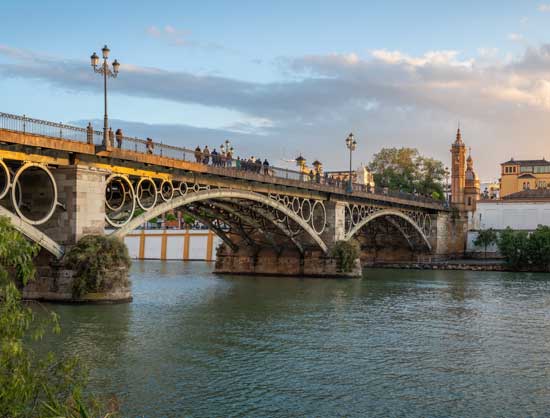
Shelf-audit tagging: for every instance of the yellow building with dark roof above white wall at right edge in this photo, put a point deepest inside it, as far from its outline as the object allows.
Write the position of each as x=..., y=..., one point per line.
x=518, y=175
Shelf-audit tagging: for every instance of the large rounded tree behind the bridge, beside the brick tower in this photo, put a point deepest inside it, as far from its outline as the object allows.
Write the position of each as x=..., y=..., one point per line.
x=406, y=170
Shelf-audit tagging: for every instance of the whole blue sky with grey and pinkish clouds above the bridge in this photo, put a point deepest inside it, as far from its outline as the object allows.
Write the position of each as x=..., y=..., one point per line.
x=283, y=78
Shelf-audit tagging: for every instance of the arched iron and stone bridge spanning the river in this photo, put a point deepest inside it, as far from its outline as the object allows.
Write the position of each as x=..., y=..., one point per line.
x=60, y=182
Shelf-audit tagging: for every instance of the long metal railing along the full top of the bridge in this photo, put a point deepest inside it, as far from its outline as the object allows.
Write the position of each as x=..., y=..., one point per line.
x=227, y=166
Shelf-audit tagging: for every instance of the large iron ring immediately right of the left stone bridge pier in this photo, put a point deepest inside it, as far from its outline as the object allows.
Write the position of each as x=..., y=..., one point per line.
x=118, y=184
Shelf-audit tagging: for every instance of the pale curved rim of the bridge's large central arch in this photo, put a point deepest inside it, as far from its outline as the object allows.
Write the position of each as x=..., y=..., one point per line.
x=226, y=194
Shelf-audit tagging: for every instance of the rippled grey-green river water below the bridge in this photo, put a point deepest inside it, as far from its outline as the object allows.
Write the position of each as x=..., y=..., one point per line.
x=396, y=343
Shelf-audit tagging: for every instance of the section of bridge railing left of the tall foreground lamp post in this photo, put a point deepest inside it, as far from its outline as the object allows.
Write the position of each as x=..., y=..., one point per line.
x=40, y=127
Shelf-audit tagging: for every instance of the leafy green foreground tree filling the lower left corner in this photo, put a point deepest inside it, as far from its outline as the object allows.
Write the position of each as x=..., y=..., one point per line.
x=32, y=385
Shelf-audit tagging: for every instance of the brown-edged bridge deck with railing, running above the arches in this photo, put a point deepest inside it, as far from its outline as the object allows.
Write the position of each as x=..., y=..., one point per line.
x=72, y=141
